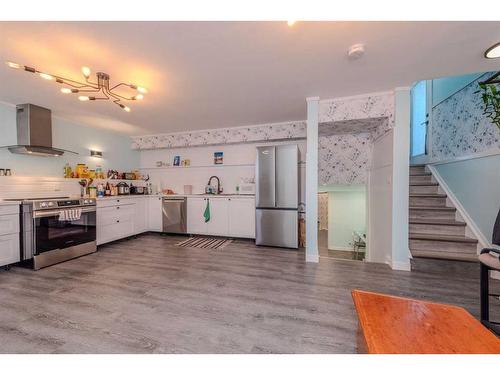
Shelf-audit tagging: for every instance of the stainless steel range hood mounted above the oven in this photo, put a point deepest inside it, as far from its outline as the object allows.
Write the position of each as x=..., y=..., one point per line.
x=34, y=132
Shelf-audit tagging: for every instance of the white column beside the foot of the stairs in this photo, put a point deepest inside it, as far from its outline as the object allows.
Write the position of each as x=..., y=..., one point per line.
x=400, y=178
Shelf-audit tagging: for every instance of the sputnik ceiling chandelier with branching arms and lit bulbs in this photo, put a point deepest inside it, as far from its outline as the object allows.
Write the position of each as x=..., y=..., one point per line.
x=89, y=90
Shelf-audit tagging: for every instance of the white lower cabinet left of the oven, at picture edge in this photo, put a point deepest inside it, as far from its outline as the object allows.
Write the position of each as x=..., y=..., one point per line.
x=9, y=235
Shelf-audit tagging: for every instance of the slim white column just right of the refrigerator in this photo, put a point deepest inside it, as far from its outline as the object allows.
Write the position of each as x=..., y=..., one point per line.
x=312, y=254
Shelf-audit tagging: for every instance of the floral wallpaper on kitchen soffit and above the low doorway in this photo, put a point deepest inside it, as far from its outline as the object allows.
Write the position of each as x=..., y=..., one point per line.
x=348, y=126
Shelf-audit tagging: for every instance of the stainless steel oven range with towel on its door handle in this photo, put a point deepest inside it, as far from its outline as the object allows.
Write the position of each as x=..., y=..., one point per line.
x=57, y=230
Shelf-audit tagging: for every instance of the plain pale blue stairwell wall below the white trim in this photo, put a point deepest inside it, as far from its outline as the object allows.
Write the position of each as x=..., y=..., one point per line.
x=476, y=184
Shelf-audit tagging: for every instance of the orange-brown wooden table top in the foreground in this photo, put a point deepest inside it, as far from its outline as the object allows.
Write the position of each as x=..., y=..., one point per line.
x=406, y=326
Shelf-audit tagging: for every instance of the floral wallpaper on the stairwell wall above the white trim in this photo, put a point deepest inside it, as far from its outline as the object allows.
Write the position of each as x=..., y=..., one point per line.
x=459, y=127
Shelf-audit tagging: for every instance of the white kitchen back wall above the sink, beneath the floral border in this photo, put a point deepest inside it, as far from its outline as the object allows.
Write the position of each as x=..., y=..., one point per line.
x=239, y=161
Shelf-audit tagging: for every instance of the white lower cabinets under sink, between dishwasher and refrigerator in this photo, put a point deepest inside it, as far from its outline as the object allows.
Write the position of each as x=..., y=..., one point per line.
x=233, y=217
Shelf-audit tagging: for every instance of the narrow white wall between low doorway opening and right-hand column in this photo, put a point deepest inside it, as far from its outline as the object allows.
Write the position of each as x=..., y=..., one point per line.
x=379, y=236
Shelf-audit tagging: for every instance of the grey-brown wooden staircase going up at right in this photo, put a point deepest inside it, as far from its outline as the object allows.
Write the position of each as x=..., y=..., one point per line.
x=434, y=232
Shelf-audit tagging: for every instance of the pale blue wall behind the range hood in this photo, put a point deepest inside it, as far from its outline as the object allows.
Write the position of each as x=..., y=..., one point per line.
x=70, y=136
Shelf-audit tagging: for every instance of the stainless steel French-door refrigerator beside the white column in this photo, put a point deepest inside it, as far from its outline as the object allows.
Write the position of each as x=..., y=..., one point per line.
x=277, y=196
